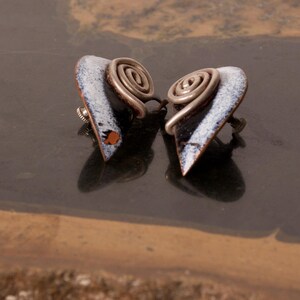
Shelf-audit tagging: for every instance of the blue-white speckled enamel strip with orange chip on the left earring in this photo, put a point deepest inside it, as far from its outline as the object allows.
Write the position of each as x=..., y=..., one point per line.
x=90, y=76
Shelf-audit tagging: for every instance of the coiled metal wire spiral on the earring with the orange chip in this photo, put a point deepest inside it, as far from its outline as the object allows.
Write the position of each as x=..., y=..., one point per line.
x=132, y=82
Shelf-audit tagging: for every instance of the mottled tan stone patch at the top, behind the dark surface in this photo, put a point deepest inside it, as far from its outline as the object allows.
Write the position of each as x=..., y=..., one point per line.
x=158, y=20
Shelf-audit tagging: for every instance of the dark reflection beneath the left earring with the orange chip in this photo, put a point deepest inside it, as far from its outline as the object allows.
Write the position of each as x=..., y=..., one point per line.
x=129, y=163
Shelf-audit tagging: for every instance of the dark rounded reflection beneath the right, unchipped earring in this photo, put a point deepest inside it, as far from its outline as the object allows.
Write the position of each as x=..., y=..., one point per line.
x=215, y=176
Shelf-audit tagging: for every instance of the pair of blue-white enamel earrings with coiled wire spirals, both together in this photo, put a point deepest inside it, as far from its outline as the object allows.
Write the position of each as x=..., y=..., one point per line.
x=114, y=92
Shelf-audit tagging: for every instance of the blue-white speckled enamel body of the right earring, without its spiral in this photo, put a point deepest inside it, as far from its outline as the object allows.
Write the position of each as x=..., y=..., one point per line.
x=191, y=144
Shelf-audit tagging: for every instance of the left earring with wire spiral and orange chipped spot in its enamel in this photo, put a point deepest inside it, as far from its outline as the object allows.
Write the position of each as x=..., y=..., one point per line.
x=113, y=93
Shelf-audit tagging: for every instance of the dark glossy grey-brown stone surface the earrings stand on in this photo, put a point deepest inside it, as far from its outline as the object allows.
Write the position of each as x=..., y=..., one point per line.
x=44, y=164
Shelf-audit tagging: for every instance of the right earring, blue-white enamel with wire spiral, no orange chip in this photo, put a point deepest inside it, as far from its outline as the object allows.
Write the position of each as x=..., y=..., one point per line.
x=204, y=101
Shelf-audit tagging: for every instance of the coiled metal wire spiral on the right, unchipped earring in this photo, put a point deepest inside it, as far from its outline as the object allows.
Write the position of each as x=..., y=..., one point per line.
x=192, y=91
